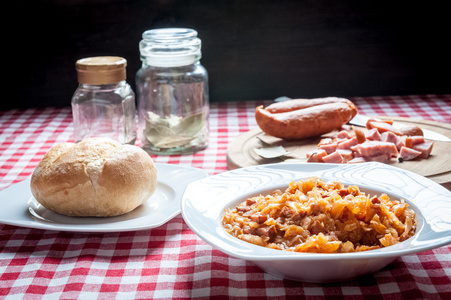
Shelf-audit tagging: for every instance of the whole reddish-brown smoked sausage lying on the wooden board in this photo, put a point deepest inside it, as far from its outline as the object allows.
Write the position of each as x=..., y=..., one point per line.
x=304, y=118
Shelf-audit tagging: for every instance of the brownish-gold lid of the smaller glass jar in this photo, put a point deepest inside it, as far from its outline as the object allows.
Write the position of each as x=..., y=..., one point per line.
x=101, y=69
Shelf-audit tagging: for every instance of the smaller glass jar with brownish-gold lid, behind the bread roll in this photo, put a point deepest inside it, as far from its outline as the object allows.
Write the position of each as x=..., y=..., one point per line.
x=104, y=103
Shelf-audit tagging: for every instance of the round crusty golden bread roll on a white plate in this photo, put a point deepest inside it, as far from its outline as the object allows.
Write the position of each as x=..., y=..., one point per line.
x=97, y=177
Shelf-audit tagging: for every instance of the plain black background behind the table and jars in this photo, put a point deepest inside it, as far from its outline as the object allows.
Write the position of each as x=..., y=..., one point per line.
x=253, y=50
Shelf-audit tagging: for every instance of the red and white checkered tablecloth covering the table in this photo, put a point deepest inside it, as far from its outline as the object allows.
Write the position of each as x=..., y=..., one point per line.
x=171, y=262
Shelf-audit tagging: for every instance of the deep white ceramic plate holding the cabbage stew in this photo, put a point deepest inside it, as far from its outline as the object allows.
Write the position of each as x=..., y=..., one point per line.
x=204, y=201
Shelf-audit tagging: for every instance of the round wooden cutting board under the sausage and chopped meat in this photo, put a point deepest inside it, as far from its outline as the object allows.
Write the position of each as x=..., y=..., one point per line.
x=241, y=152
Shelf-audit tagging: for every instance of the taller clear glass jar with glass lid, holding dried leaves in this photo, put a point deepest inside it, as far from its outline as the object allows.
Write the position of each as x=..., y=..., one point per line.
x=172, y=89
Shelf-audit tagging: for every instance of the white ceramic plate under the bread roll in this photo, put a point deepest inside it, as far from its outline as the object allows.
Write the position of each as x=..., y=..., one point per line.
x=18, y=206
